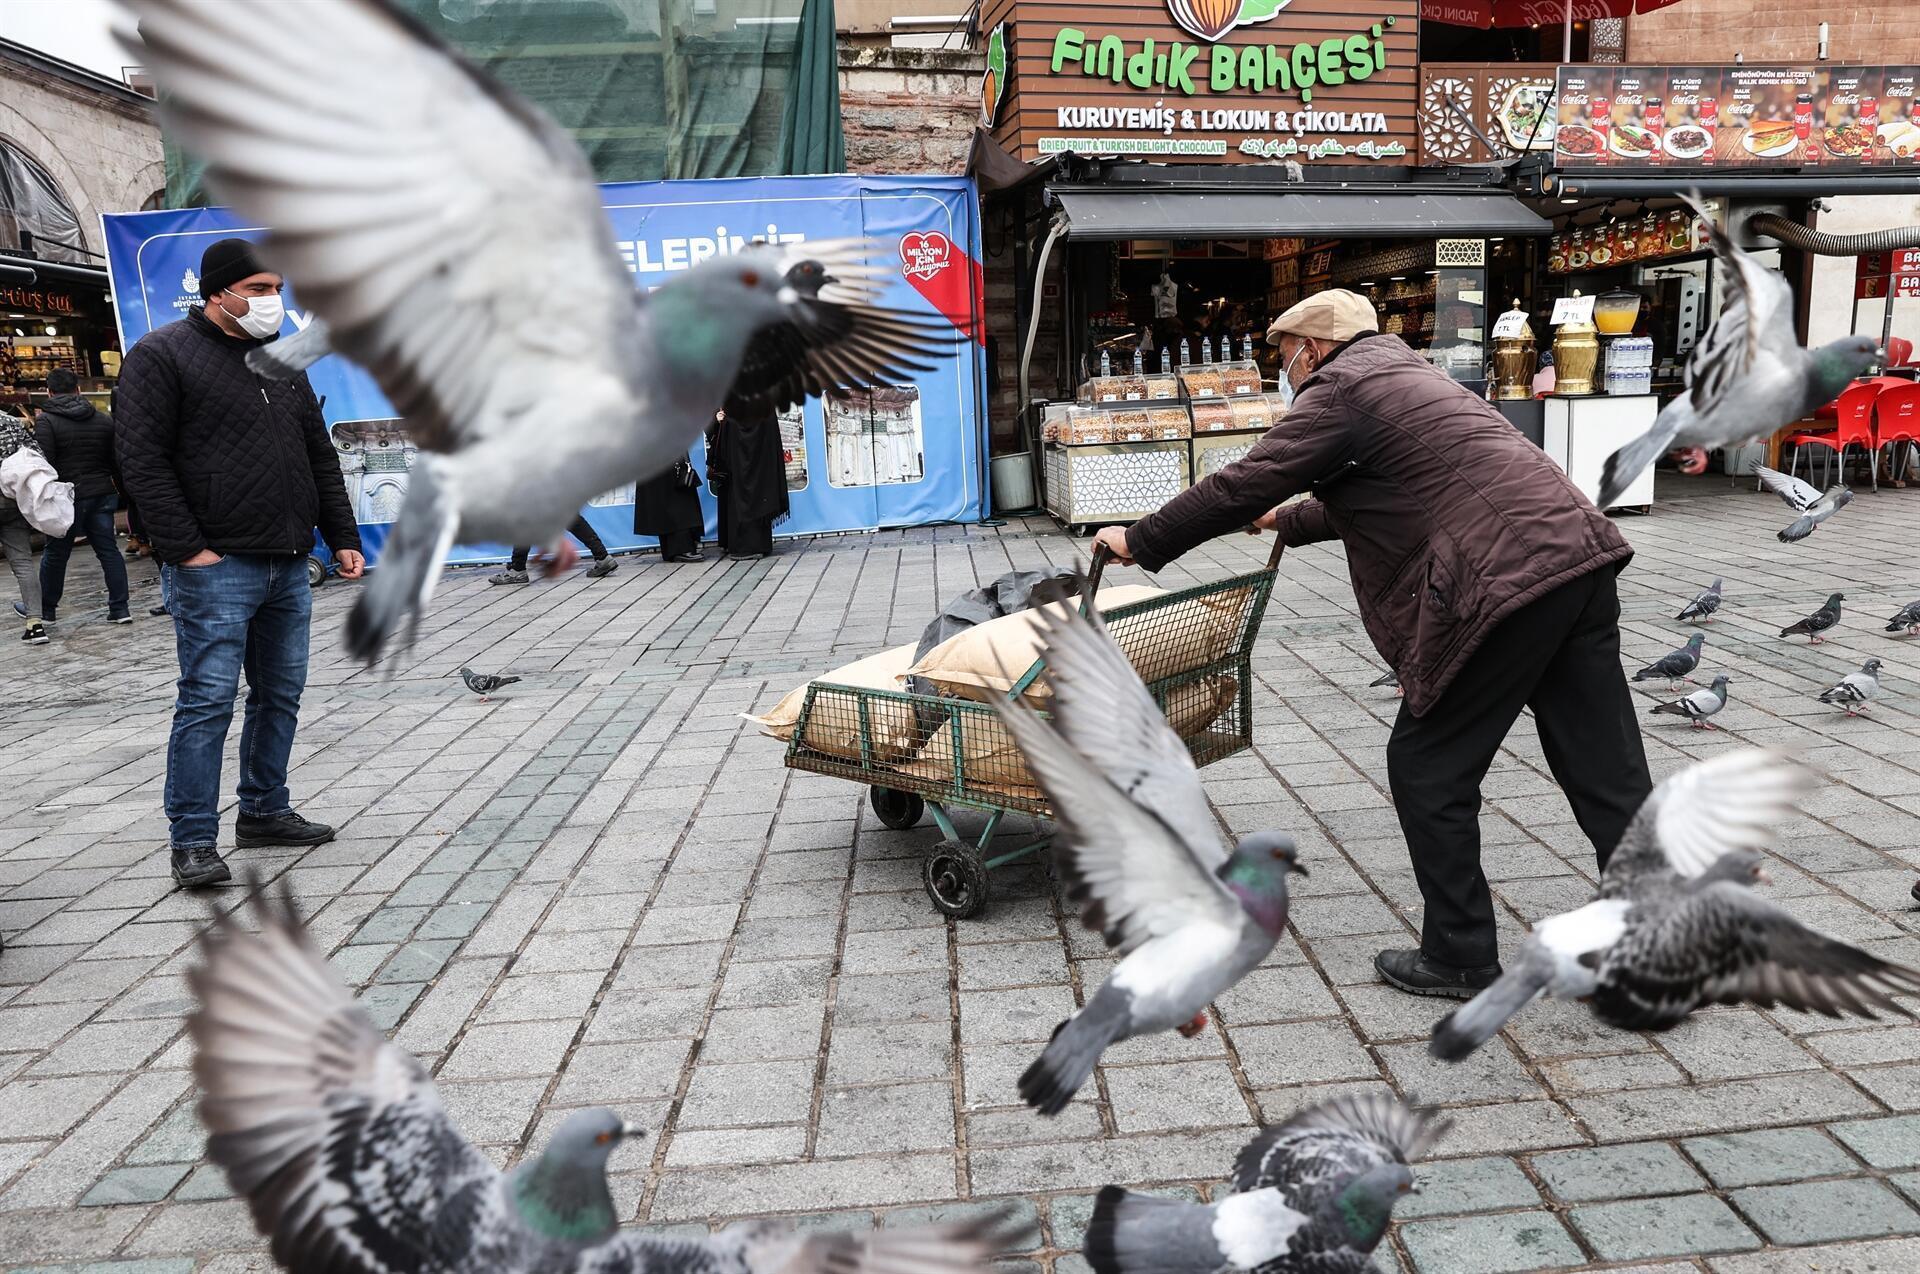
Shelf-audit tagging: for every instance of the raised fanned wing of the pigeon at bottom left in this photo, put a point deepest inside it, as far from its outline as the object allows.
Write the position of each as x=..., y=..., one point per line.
x=333, y=1137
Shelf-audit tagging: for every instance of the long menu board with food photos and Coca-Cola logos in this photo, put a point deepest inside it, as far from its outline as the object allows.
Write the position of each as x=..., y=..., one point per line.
x=1744, y=116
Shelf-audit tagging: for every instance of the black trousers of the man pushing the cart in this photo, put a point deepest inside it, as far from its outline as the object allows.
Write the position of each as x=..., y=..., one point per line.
x=1560, y=657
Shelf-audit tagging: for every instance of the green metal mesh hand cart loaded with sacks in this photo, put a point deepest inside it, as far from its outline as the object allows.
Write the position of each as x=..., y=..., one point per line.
x=921, y=753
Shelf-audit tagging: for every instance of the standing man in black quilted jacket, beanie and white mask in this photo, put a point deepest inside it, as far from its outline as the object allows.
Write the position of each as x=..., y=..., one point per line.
x=231, y=473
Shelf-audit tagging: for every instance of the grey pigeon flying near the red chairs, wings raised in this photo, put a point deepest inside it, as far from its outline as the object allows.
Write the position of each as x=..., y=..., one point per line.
x=1746, y=379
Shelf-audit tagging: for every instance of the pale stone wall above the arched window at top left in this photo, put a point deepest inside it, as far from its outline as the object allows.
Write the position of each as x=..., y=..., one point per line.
x=101, y=145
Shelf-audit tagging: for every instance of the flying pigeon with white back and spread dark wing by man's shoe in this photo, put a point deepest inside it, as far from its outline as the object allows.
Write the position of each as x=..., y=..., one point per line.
x=1677, y=924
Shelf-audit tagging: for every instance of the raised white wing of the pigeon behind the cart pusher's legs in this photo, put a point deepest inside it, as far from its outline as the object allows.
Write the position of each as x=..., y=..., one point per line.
x=1691, y=820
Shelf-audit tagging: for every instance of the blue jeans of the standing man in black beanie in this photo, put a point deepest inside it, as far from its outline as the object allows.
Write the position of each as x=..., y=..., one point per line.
x=245, y=611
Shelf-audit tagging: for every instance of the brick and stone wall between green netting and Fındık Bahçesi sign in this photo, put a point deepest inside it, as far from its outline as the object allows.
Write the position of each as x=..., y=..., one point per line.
x=909, y=110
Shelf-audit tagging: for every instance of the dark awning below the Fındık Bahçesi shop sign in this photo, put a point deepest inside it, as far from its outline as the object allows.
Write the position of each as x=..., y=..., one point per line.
x=1120, y=214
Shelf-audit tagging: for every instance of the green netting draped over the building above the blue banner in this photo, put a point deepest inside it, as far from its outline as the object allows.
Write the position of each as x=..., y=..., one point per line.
x=652, y=89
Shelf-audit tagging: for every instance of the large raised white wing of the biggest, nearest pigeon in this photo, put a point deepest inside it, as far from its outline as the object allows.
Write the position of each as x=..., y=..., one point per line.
x=404, y=193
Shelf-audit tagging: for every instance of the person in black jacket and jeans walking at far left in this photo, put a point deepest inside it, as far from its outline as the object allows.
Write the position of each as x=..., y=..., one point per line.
x=78, y=440
